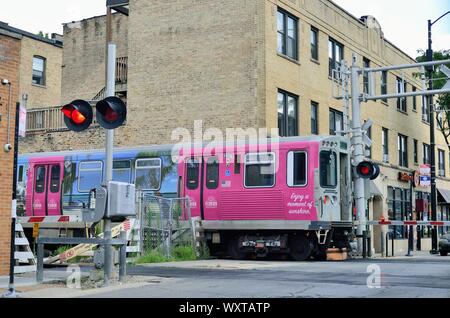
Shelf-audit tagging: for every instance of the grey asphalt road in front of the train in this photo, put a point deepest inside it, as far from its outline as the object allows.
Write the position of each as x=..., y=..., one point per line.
x=421, y=276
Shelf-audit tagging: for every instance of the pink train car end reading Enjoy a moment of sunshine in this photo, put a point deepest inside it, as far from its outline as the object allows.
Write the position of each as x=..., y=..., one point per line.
x=292, y=196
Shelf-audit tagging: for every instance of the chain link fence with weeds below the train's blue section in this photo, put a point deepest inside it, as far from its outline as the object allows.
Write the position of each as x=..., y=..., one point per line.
x=165, y=224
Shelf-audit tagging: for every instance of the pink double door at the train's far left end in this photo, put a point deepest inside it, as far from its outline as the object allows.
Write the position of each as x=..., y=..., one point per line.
x=46, y=189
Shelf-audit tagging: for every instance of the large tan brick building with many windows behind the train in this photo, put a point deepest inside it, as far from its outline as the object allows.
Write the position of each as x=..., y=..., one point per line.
x=253, y=63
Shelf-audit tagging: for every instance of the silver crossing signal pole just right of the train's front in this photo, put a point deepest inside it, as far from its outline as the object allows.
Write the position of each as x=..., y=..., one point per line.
x=358, y=151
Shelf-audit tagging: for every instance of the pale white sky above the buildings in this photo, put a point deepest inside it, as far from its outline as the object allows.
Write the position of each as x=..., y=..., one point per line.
x=404, y=22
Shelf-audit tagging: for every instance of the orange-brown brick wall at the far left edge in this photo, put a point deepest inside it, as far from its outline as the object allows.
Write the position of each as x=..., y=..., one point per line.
x=9, y=69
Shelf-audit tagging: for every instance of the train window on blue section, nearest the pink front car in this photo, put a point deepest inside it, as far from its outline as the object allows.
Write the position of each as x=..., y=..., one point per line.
x=148, y=174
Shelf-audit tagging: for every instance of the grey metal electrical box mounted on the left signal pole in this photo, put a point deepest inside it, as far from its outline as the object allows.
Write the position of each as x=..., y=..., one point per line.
x=121, y=200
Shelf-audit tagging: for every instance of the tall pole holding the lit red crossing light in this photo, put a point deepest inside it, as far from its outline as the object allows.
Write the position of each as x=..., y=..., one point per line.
x=110, y=91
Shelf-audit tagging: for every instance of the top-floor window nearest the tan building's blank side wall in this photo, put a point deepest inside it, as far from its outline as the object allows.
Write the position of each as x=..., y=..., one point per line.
x=287, y=34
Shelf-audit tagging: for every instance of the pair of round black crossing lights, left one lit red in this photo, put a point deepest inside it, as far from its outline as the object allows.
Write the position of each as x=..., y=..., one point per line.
x=111, y=113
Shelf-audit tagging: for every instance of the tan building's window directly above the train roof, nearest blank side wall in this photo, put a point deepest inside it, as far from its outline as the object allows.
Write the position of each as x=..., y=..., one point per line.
x=287, y=114
